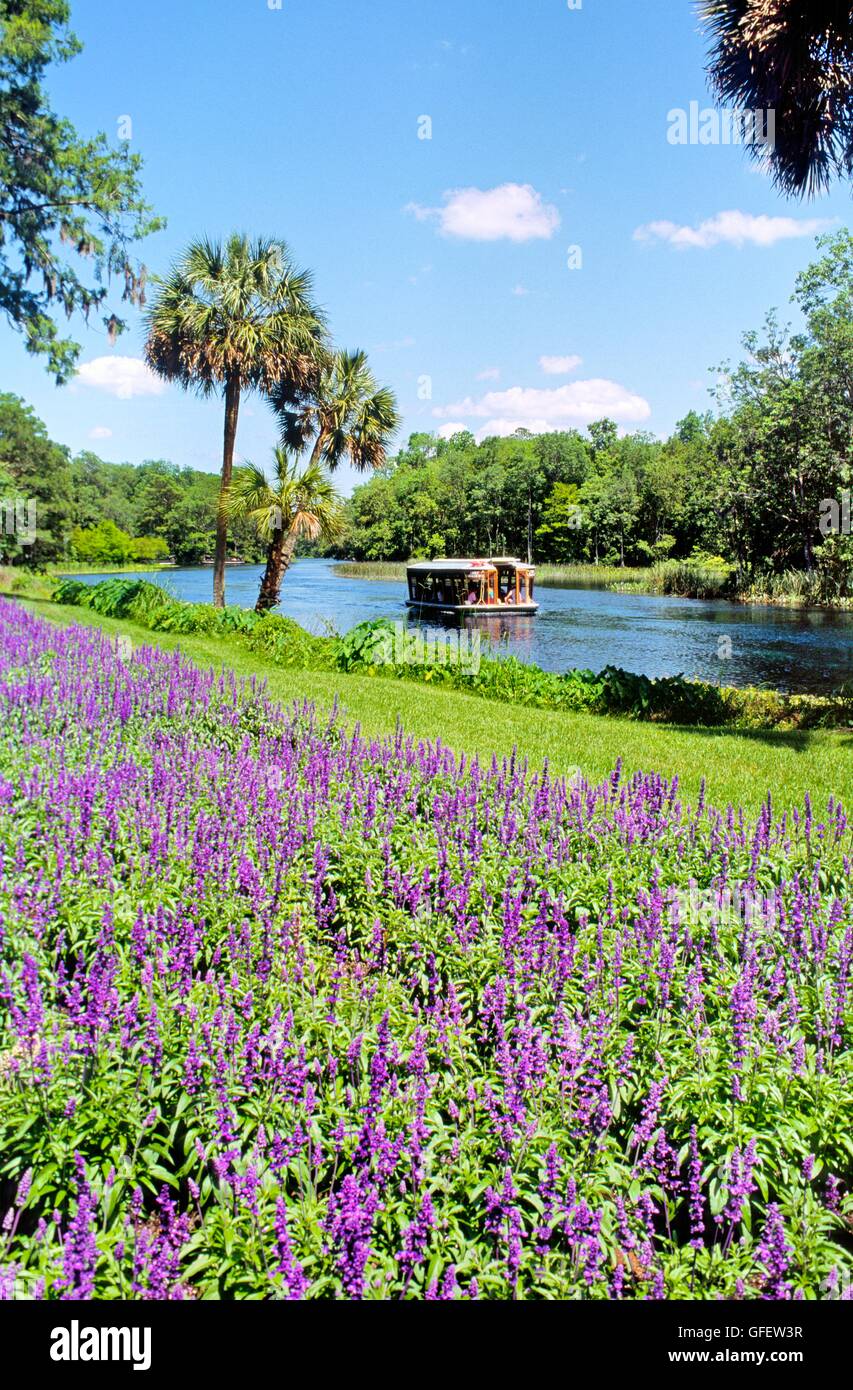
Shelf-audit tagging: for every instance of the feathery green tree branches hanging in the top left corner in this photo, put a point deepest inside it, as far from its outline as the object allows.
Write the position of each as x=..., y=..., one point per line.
x=70, y=208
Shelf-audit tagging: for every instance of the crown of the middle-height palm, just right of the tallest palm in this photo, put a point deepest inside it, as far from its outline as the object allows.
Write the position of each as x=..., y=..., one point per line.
x=345, y=416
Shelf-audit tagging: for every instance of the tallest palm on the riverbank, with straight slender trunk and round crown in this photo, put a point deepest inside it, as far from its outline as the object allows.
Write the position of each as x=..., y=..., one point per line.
x=234, y=319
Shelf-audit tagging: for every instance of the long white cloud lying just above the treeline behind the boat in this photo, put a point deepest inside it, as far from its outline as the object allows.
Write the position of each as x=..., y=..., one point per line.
x=561, y=408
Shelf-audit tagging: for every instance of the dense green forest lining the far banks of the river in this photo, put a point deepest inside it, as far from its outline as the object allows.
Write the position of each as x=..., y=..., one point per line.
x=759, y=484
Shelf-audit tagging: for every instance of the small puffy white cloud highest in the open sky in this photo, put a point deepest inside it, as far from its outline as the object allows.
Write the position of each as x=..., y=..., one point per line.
x=512, y=212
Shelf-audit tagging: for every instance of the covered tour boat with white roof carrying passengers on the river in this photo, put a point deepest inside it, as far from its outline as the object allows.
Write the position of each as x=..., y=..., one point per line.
x=498, y=586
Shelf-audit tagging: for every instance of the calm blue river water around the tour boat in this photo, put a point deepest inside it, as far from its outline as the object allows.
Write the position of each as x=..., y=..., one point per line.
x=780, y=648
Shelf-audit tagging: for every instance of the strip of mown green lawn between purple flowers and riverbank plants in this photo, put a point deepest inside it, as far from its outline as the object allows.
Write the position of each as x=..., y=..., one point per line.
x=738, y=767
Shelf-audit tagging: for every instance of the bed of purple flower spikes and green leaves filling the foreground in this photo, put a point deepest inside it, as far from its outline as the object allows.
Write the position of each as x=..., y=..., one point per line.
x=292, y=1014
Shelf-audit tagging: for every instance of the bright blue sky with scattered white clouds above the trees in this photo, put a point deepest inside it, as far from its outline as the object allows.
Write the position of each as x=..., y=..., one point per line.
x=447, y=258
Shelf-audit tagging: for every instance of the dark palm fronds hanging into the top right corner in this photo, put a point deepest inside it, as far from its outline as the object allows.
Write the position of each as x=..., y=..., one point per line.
x=794, y=59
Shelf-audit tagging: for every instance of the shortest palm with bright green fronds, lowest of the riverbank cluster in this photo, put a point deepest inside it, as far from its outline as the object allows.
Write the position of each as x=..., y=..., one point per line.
x=294, y=505
